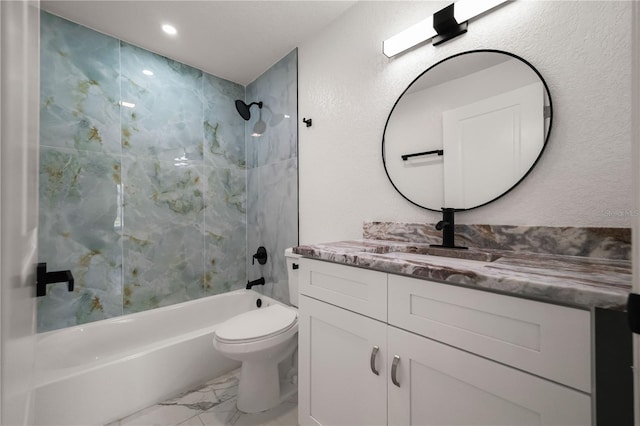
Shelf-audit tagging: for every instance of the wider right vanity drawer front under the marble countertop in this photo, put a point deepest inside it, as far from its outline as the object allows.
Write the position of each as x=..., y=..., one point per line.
x=547, y=340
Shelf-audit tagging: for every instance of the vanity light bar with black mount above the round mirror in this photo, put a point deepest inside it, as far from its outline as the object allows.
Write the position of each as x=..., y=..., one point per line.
x=444, y=25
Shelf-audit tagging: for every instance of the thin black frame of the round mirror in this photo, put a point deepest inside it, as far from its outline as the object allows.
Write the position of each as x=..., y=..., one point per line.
x=546, y=140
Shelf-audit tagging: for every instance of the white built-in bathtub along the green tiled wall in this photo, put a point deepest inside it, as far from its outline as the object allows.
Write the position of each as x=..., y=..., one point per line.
x=97, y=373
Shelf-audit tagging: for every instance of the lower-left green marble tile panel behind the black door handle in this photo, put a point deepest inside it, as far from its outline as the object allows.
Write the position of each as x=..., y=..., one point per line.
x=80, y=229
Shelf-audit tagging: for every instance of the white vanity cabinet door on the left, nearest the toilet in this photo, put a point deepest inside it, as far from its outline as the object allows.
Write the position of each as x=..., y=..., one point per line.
x=337, y=384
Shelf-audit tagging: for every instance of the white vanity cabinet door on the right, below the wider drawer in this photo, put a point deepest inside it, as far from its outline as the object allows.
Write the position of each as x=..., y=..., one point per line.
x=442, y=385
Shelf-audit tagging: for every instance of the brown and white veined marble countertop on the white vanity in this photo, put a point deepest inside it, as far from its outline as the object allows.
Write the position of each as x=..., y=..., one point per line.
x=572, y=280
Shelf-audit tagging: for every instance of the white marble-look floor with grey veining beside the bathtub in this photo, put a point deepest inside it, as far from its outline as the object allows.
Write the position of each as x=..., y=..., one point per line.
x=213, y=404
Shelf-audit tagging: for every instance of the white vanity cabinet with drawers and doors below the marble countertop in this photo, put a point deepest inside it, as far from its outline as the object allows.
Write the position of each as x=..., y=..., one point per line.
x=458, y=353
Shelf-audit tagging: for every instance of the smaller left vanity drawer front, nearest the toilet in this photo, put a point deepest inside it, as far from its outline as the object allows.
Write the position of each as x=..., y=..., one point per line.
x=358, y=290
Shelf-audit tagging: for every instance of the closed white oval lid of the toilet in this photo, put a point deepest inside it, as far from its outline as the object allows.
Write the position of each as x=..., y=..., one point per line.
x=257, y=324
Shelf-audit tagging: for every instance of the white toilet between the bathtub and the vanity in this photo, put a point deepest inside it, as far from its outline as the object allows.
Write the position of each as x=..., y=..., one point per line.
x=262, y=339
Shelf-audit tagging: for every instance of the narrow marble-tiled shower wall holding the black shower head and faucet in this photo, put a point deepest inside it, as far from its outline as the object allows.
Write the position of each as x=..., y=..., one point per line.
x=272, y=174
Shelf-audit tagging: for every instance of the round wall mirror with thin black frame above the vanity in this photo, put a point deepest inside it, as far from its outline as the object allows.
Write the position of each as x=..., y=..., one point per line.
x=467, y=130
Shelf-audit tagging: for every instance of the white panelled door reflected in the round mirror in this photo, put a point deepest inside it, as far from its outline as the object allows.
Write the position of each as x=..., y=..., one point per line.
x=490, y=144
